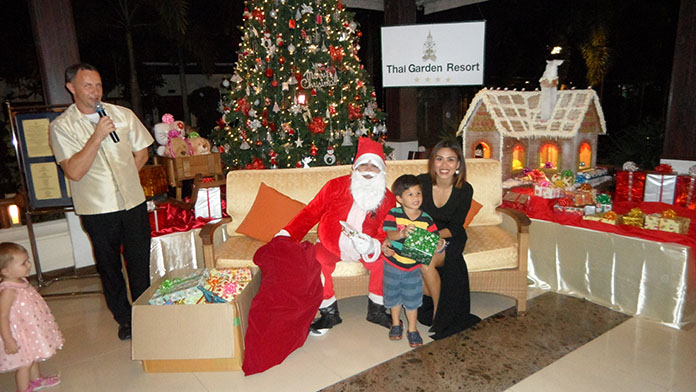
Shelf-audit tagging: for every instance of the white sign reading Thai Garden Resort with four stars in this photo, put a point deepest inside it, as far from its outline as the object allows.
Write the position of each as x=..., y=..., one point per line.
x=446, y=54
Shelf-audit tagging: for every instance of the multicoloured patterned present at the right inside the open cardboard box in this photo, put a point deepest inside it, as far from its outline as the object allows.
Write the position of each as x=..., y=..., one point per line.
x=224, y=285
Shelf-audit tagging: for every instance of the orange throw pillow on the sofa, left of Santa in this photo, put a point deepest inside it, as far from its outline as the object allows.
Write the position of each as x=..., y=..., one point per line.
x=270, y=212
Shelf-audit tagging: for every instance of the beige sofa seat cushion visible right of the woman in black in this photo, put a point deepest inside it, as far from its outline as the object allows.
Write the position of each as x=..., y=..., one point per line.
x=490, y=248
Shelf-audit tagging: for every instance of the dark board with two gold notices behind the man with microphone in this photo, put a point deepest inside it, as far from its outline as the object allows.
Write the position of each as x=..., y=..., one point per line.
x=44, y=181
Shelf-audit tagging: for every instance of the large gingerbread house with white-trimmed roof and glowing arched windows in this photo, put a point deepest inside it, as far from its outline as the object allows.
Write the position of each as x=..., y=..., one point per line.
x=548, y=130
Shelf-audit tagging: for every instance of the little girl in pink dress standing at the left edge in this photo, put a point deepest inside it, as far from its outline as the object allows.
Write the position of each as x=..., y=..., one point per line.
x=28, y=331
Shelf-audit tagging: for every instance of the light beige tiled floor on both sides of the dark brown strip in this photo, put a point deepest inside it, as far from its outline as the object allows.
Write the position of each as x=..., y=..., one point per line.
x=636, y=356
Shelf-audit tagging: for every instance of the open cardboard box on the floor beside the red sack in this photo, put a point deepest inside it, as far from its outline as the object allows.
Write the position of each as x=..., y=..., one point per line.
x=191, y=338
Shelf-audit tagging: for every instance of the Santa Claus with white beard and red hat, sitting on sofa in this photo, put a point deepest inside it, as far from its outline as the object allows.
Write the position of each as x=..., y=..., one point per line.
x=362, y=200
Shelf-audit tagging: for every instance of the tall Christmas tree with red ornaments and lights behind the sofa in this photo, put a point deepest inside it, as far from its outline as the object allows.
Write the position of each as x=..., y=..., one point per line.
x=299, y=95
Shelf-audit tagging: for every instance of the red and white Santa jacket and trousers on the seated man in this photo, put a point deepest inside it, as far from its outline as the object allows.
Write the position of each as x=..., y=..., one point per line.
x=334, y=203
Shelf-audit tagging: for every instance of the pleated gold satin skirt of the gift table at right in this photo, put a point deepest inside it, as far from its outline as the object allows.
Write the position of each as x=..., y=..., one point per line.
x=635, y=276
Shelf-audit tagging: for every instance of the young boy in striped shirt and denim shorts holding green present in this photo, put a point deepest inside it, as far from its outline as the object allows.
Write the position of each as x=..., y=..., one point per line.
x=402, y=282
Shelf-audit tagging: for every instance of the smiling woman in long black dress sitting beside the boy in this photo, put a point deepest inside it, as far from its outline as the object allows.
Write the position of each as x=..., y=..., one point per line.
x=447, y=198
